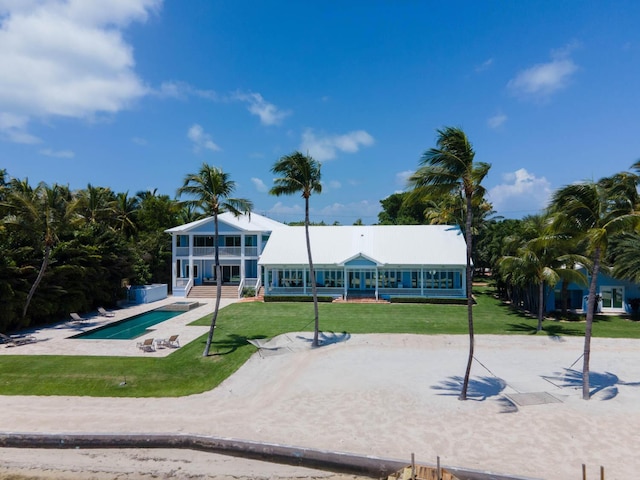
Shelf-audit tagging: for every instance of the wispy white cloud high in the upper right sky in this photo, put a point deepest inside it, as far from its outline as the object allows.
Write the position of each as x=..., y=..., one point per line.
x=544, y=79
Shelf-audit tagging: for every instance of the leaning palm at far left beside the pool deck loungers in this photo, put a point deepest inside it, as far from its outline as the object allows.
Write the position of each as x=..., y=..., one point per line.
x=42, y=212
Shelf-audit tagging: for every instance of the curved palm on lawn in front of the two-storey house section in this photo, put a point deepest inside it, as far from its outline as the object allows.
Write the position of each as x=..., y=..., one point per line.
x=212, y=189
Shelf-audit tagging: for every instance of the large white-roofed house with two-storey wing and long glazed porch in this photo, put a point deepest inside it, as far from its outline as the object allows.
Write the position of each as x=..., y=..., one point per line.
x=351, y=261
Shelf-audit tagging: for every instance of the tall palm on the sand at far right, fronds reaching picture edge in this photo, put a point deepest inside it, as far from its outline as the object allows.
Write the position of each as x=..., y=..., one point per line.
x=595, y=212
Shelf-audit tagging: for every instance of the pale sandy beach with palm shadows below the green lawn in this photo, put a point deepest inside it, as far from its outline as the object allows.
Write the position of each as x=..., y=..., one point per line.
x=381, y=395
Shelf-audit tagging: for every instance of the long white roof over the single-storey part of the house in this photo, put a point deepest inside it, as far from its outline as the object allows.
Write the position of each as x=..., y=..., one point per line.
x=385, y=245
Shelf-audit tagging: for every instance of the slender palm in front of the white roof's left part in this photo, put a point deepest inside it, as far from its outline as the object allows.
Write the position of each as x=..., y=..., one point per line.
x=301, y=174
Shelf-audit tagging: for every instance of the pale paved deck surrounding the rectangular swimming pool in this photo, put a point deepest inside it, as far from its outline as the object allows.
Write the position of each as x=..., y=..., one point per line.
x=55, y=339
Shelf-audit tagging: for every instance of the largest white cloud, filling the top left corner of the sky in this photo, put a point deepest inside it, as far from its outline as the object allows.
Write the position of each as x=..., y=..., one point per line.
x=68, y=57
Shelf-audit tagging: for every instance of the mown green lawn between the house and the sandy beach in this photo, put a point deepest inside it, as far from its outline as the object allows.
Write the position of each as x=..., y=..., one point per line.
x=186, y=372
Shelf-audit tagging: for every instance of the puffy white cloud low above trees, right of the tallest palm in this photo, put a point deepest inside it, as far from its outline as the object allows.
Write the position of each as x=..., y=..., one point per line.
x=521, y=193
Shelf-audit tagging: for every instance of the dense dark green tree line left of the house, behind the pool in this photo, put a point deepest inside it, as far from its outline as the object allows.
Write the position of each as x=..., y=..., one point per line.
x=66, y=251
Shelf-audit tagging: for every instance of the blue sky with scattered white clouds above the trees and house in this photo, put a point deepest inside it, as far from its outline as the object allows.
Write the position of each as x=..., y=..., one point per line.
x=135, y=94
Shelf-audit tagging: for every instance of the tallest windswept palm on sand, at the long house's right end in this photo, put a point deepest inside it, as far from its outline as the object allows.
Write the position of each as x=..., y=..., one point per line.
x=450, y=168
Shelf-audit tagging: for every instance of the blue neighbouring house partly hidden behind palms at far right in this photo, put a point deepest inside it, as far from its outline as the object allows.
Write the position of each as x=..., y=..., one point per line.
x=614, y=295
